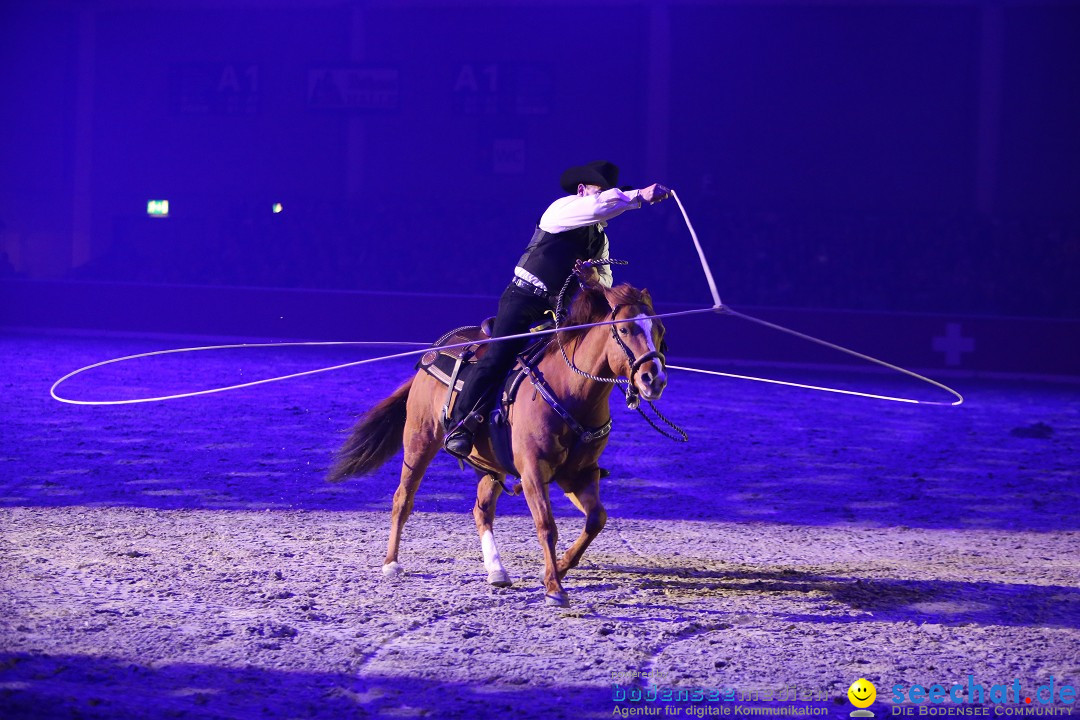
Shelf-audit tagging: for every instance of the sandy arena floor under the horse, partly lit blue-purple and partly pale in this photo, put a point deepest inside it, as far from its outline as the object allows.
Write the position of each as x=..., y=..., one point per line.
x=185, y=560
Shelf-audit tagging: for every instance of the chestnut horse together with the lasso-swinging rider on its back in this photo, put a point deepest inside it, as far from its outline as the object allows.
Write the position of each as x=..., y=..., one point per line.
x=555, y=437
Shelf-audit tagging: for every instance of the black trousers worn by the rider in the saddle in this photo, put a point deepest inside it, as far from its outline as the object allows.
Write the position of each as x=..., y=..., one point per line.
x=519, y=311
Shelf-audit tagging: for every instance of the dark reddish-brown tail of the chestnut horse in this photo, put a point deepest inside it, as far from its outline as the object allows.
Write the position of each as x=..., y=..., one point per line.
x=375, y=439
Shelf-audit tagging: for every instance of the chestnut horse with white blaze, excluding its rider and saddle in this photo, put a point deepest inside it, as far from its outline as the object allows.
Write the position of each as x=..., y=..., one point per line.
x=546, y=447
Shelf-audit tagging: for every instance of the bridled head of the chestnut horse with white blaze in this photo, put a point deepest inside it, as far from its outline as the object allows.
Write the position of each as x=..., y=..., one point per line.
x=634, y=348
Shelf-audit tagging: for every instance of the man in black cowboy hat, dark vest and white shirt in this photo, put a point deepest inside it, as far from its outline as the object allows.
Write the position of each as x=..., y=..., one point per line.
x=570, y=234
